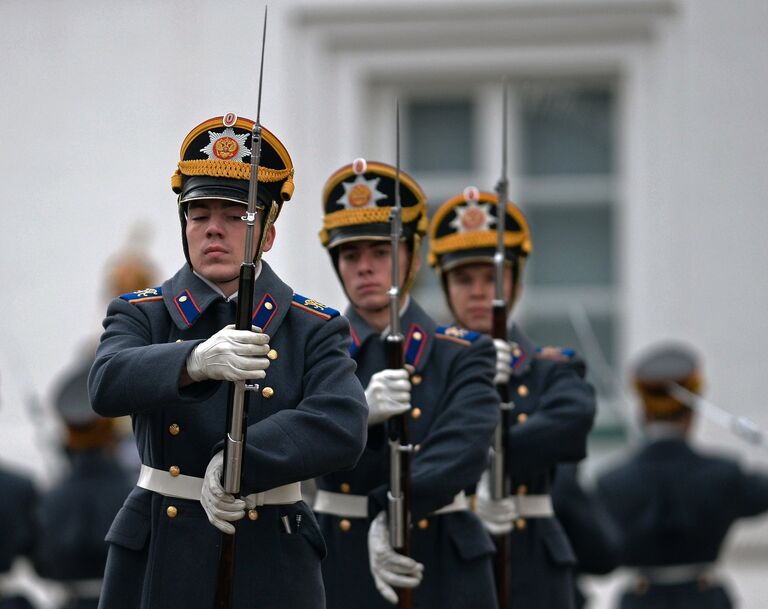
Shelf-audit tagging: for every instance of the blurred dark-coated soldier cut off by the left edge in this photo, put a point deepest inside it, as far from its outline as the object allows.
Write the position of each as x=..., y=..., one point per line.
x=18, y=500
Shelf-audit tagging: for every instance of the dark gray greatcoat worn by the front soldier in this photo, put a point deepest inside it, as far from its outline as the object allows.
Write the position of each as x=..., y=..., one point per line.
x=312, y=422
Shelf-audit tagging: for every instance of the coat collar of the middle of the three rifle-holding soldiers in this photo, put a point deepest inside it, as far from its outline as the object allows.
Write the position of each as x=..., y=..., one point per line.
x=417, y=327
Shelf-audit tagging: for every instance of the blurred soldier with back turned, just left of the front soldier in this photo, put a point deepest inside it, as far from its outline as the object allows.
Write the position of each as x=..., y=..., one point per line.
x=75, y=514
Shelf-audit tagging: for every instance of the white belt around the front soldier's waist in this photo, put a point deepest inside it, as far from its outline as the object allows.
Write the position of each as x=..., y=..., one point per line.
x=190, y=487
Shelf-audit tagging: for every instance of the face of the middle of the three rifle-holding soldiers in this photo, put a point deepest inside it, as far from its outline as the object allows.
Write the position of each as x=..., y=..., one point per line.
x=365, y=268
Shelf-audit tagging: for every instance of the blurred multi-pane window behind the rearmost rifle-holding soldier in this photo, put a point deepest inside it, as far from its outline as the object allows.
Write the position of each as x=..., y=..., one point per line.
x=563, y=175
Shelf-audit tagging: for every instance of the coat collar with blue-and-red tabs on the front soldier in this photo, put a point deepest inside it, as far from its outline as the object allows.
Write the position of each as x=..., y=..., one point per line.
x=187, y=297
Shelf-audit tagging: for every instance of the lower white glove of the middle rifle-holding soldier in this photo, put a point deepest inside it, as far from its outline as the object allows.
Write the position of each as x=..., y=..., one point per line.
x=387, y=566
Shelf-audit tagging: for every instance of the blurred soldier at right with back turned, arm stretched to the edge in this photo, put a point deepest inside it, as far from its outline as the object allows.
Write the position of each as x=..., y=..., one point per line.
x=673, y=504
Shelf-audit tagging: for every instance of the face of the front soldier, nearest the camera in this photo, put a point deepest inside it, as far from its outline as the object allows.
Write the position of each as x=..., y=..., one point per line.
x=216, y=240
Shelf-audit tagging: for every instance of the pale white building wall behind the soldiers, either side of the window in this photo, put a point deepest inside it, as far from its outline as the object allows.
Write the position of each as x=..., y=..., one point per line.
x=97, y=96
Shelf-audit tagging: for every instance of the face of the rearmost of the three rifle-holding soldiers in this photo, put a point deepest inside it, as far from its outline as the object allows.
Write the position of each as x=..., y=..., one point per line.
x=471, y=288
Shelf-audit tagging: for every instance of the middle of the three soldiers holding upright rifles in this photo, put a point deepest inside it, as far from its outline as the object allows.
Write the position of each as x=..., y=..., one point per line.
x=451, y=408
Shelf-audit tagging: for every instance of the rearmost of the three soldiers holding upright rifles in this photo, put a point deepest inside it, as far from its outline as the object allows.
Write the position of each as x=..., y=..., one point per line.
x=552, y=406
